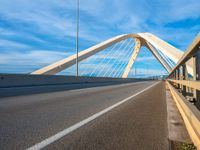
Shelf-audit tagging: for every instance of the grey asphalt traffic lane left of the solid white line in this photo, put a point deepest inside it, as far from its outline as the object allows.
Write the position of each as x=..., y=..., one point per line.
x=27, y=120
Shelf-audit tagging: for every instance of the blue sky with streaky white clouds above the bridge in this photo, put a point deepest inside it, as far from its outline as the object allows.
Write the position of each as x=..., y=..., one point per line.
x=35, y=33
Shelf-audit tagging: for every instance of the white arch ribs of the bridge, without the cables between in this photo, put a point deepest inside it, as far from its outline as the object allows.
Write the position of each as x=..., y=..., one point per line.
x=145, y=39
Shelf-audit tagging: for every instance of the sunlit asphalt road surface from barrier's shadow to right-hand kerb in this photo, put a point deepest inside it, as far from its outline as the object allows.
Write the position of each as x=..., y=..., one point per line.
x=139, y=121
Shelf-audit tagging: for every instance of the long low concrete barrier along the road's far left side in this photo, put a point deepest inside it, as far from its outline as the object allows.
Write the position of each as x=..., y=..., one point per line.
x=24, y=80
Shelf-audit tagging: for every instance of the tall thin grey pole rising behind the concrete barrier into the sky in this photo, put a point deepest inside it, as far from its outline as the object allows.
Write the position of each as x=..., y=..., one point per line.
x=77, y=37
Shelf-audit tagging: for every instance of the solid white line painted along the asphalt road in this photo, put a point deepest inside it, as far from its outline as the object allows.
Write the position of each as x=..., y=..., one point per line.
x=66, y=131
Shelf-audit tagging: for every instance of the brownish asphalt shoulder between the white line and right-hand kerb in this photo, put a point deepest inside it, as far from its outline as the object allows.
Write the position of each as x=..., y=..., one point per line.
x=139, y=124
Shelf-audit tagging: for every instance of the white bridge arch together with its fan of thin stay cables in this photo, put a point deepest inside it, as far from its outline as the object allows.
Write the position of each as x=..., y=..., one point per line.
x=121, y=48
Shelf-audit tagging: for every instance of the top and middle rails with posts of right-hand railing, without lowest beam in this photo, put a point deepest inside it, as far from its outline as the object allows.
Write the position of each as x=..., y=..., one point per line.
x=187, y=84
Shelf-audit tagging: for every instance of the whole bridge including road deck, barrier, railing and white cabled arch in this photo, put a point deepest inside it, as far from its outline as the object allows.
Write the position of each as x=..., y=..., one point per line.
x=103, y=108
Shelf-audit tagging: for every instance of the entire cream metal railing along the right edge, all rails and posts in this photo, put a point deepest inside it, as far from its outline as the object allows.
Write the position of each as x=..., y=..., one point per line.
x=185, y=89
